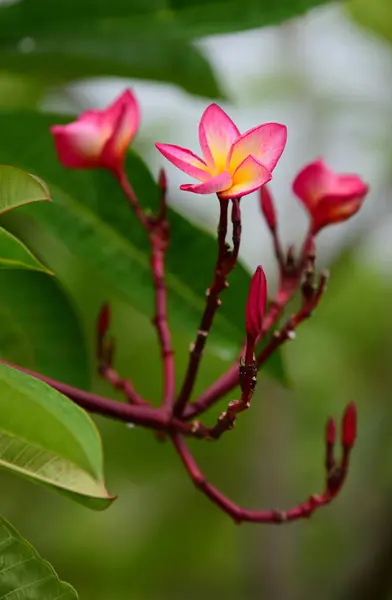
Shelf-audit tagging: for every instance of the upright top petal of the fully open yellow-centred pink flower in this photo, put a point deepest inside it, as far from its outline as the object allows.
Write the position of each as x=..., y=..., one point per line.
x=217, y=133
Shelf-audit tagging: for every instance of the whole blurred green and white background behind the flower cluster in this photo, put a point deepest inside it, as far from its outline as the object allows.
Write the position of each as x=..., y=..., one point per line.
x=327, y=74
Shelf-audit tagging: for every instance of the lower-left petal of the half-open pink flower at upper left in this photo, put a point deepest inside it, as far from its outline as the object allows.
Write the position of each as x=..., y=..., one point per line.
x=78, y=144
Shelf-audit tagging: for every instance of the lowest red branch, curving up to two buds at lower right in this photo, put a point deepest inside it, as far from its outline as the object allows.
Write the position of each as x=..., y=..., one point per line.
x=335, y=477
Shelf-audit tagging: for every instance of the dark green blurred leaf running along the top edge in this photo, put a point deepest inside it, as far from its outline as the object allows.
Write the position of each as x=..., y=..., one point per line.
x=187, y=18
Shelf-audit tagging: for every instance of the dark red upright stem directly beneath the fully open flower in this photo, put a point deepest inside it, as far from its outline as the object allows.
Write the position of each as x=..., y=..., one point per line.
x=225, y=263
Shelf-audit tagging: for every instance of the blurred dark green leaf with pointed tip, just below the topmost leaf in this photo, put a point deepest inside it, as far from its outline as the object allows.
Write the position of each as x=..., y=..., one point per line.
x=132, y=52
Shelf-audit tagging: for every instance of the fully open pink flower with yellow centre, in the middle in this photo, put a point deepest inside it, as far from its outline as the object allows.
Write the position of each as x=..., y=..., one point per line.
x=233, y=165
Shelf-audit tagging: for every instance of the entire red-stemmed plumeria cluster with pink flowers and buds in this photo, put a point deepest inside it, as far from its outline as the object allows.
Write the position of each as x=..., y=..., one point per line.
x=232, y=166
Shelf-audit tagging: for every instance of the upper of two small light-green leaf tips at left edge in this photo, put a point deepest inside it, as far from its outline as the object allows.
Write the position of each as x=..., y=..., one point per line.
x=18, y=188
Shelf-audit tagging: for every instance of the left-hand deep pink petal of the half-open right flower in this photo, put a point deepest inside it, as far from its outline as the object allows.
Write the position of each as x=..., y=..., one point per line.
x=313, y=182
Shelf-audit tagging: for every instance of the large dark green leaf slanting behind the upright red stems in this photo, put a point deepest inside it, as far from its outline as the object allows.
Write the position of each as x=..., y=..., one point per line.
x=92, y=218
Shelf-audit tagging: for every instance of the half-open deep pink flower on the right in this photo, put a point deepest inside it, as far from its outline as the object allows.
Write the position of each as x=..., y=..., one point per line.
x=328, y=197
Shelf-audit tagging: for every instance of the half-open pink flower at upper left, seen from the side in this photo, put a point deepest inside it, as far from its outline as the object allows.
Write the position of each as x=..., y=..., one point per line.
x=99, y=138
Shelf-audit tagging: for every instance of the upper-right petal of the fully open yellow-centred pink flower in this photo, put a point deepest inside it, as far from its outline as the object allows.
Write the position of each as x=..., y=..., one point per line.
x=265, y=142
